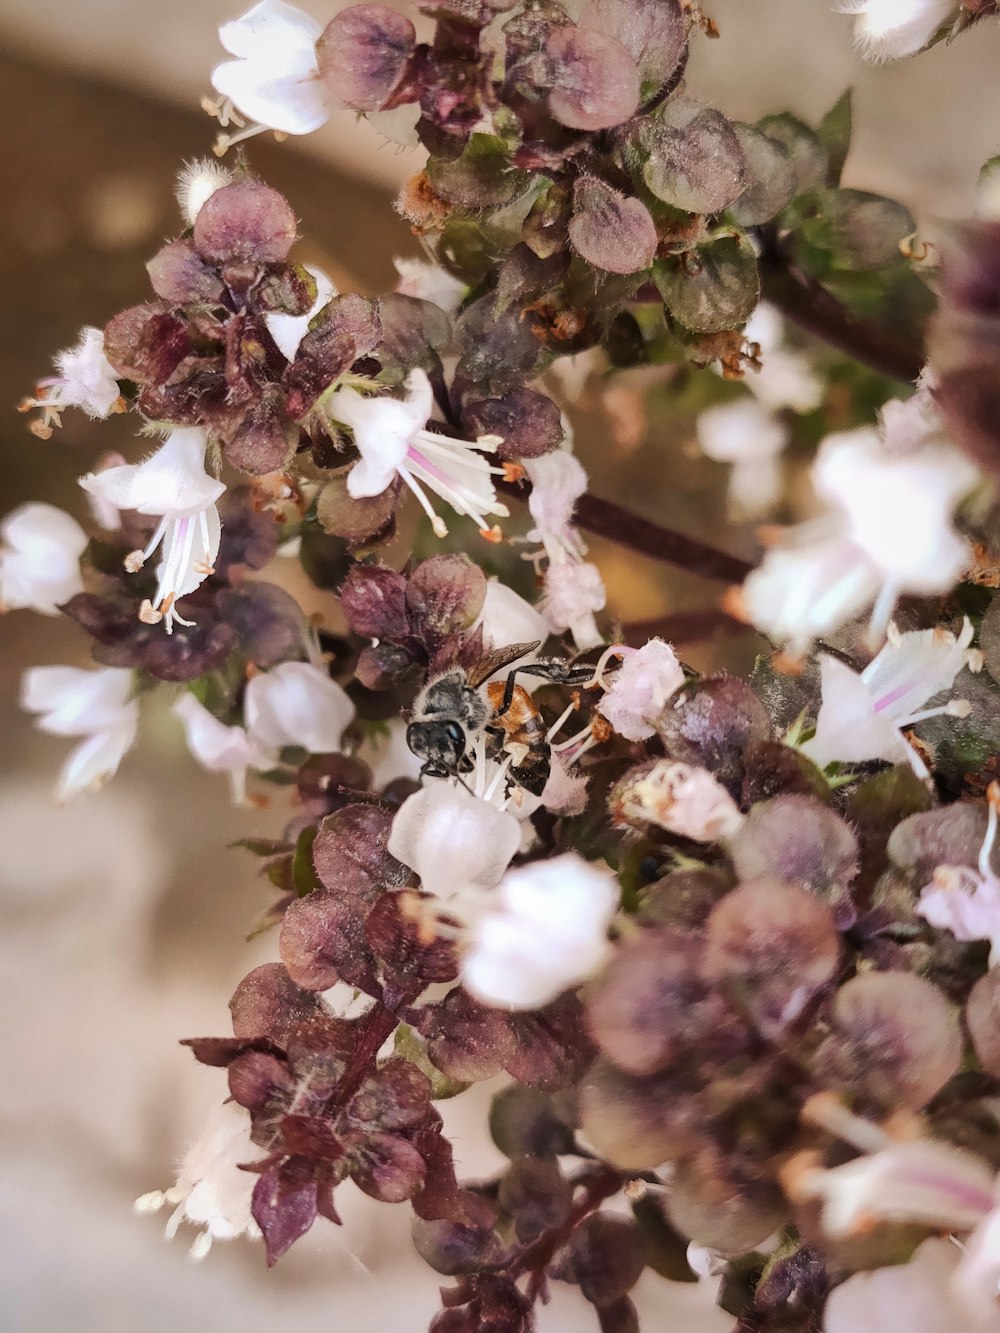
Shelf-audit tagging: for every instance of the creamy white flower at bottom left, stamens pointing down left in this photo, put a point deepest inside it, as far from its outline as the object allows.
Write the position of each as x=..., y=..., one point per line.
x=211, y=1192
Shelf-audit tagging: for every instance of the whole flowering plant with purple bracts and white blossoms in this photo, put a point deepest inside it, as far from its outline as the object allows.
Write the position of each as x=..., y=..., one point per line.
x=730, y=944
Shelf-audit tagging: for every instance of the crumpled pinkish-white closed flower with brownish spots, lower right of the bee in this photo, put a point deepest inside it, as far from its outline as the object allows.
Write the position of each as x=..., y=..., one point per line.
x=679, y=798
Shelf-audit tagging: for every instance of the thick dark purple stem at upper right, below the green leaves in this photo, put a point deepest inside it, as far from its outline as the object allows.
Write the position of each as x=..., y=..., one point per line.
x=810, y=306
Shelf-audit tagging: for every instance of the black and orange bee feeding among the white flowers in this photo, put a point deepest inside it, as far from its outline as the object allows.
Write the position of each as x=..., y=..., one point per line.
x=463, y=704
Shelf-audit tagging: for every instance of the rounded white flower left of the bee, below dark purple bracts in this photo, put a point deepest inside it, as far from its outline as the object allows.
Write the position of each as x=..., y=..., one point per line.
x=297, y=704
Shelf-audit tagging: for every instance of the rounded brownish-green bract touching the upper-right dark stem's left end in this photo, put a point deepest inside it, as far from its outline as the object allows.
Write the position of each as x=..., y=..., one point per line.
x=714, y=290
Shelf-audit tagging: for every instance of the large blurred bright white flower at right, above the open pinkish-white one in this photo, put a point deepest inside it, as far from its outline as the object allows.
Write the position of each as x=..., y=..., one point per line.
x=889, y=531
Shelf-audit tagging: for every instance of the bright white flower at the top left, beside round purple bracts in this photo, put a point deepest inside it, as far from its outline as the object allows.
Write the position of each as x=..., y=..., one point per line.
x=275, y=79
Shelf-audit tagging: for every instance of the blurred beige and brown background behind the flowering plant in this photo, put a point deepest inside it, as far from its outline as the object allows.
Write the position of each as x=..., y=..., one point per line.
x=122, y=916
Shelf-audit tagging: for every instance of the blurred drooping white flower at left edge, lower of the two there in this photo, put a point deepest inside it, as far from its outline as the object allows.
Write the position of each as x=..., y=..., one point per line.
x=94, y=704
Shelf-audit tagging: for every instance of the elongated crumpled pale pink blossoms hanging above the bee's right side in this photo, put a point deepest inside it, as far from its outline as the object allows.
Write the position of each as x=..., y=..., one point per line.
x=574, y=590
